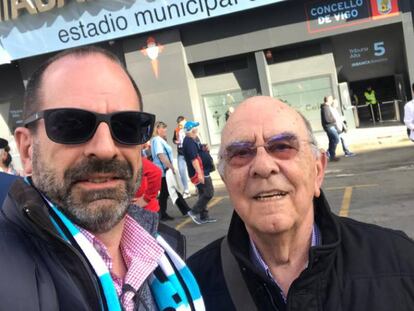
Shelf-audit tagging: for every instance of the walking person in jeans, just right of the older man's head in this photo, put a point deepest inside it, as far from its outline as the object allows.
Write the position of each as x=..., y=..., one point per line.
x=329, y=125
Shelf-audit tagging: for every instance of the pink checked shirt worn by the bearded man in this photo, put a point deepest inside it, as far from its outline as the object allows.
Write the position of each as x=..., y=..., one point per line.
x=140, y=252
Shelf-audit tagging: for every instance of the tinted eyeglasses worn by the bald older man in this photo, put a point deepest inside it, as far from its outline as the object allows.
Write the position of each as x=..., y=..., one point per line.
x=282, y=146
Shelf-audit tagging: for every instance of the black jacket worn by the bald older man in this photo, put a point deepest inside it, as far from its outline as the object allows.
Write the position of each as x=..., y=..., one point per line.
x=358, y=267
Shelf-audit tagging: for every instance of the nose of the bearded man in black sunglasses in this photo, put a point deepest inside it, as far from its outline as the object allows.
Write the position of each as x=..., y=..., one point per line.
x=101, y=145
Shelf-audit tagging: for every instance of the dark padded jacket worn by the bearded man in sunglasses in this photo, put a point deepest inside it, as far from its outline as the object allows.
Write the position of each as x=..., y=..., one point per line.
x=39, y=270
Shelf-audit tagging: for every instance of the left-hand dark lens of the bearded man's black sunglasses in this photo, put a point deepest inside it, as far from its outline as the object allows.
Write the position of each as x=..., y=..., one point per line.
x=69, y=126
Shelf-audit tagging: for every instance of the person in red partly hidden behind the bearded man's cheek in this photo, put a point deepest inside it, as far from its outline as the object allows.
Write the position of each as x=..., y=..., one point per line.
x=146, y=195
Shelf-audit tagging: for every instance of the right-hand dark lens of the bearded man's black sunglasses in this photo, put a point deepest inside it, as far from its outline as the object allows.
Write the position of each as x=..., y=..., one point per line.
x=130, y=127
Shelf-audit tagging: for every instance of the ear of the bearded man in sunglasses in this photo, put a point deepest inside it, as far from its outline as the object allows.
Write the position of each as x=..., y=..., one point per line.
x=24, y=141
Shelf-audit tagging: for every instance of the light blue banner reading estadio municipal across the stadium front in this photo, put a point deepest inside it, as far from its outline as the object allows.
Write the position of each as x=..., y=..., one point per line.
x=32, y=27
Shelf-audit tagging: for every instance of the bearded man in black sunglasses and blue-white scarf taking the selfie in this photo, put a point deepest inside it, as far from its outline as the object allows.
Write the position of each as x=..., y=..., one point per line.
x=70, y=240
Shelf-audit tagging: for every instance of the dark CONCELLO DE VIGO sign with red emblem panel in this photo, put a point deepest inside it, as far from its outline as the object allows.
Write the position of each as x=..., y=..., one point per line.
x=328, y=15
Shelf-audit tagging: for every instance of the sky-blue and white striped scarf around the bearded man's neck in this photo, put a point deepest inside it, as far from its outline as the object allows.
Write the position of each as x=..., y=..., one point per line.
x=172, y=284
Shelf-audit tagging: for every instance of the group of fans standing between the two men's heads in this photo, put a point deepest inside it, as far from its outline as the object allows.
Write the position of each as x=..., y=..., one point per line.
x=162, y=178
